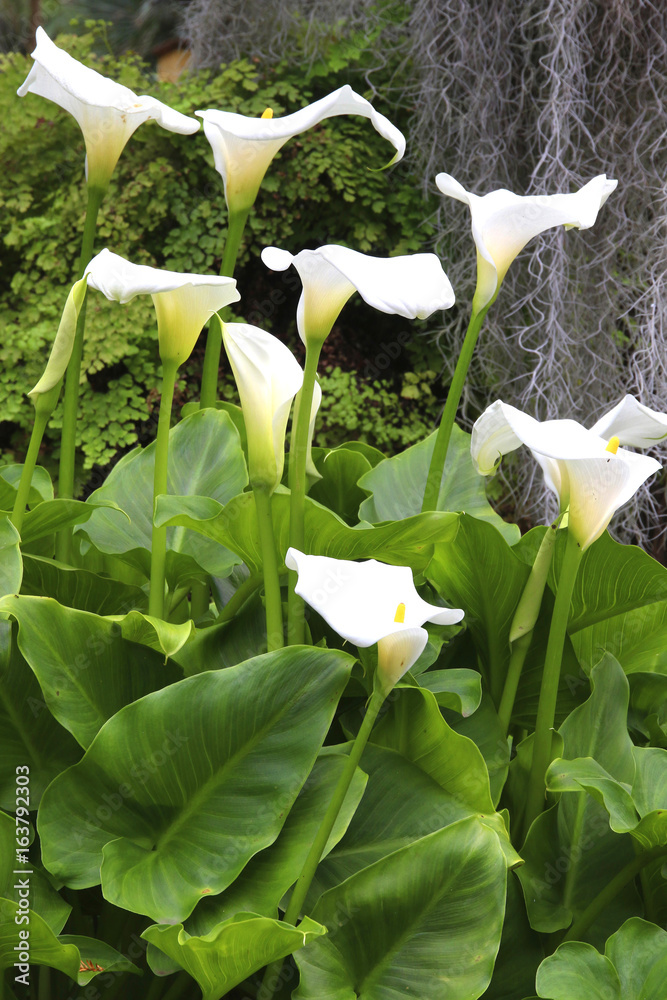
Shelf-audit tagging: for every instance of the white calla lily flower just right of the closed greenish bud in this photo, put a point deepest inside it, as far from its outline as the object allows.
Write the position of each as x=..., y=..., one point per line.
x=184, y=303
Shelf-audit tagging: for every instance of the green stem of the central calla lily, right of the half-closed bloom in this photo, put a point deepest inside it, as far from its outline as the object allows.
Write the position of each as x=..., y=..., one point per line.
x=297, y=483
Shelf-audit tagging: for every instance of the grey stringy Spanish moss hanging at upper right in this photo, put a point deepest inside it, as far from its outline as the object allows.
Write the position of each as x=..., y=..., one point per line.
x=537, y=96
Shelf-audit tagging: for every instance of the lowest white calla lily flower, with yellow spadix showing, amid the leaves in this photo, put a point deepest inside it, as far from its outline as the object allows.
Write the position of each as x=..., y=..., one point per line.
x=368, y=602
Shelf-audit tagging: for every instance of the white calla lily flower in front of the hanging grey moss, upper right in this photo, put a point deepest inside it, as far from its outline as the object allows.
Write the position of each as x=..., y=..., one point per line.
x=503, y=222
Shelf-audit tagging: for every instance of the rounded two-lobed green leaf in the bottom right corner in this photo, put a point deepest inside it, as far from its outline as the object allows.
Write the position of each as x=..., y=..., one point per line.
x=633, y=967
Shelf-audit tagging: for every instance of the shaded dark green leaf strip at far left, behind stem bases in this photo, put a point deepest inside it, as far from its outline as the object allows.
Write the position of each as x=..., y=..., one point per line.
x=79, y=588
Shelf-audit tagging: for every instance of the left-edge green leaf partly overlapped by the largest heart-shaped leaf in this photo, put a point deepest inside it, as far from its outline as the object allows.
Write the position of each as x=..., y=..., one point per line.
x=86, y=669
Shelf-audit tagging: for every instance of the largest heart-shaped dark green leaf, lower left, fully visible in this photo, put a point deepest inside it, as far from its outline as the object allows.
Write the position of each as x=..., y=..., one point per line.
x=181, y=788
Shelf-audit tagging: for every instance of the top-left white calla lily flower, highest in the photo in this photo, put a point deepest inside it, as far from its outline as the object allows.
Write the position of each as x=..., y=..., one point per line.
x=107, y=112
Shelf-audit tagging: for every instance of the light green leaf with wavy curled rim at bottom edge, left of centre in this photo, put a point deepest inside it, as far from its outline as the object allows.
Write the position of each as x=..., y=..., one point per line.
x=233, y=950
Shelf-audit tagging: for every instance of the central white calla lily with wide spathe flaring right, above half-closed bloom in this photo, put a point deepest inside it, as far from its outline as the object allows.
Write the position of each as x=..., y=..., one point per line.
x=413, y=285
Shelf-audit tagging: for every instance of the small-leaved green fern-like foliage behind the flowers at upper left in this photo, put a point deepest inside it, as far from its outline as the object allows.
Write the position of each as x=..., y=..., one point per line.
x=165, y=207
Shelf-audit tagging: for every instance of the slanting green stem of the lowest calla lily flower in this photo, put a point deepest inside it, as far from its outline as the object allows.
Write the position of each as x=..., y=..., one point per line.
x=317, y=848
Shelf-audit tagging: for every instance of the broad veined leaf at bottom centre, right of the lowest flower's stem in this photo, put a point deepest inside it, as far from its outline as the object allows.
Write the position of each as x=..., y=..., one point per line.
x=425, y=921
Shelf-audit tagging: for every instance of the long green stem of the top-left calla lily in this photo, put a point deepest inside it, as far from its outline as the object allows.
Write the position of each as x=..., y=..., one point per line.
x=71, y=398
